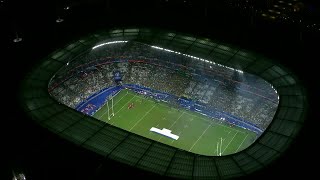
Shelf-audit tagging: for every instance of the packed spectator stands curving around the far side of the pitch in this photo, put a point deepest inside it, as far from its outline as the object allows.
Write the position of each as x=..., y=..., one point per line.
x=216, y=87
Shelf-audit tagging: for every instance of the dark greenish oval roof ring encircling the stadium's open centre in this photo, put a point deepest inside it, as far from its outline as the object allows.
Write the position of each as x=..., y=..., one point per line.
x=129, y=148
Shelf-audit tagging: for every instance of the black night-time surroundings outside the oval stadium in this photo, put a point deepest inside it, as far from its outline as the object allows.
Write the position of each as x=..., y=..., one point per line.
x=41, y=155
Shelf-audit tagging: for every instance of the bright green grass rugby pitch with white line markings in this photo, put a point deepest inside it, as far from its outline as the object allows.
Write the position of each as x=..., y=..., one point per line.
x=197, y=133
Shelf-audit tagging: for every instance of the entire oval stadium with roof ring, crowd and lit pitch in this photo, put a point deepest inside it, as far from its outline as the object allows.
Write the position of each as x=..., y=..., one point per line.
x=168, y=103
